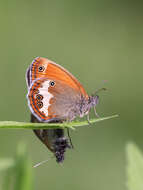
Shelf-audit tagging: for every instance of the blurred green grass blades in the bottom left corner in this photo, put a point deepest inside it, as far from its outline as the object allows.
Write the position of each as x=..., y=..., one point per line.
x=17, y=173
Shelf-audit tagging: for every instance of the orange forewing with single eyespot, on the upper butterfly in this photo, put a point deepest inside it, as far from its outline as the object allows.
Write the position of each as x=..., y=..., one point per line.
x=44, y=68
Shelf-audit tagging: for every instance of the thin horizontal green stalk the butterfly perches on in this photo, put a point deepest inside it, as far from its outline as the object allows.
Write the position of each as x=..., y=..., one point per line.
x=72, y=125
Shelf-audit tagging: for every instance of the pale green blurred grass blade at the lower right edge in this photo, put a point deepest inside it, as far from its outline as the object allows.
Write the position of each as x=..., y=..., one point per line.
x=134, y=167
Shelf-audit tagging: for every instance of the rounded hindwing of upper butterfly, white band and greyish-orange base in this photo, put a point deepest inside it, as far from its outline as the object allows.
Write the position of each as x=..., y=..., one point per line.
x=50, y=99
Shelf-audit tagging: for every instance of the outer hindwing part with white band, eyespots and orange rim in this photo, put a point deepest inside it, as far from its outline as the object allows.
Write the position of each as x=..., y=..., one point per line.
x=39, y=99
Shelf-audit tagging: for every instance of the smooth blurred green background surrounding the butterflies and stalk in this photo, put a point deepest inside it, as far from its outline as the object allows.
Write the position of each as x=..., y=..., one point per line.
x=96, y=40
